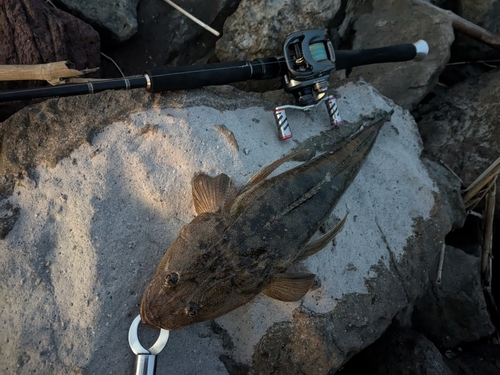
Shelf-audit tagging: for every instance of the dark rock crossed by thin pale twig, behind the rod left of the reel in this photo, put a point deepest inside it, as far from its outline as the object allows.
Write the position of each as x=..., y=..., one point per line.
x=164, y=35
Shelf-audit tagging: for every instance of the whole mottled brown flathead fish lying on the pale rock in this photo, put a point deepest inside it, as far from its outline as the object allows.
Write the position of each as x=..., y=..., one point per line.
x=243, y=242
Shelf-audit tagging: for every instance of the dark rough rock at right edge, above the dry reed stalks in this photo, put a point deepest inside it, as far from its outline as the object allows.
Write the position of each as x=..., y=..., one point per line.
x=460, y=126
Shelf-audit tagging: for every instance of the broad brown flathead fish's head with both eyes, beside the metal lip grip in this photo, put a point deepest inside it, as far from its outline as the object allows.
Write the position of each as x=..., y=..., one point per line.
x=191, y=284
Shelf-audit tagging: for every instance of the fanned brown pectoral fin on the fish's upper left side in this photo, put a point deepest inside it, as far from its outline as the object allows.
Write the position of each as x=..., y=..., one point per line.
x=210, y=194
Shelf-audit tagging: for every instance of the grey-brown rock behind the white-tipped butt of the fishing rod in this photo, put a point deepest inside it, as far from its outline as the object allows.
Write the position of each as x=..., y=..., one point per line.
x=391, y=22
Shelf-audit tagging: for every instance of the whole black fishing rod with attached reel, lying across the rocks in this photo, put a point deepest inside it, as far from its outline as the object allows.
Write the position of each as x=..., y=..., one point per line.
x=307, y=61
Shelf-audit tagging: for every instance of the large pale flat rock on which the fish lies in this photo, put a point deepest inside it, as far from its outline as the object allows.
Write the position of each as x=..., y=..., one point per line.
x=94, y=224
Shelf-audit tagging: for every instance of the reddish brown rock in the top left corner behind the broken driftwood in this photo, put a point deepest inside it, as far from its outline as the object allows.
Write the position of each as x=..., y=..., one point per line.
x=35, y=32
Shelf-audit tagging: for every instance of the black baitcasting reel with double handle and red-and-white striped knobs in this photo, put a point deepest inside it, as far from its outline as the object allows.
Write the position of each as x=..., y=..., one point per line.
x=310, y=59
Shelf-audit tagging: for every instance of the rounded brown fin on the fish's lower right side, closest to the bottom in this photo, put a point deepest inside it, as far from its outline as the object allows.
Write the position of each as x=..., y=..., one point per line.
x=289, y=287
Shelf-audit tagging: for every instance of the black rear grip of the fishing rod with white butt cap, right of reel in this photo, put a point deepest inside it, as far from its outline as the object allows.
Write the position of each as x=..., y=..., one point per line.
x=402, y=52
